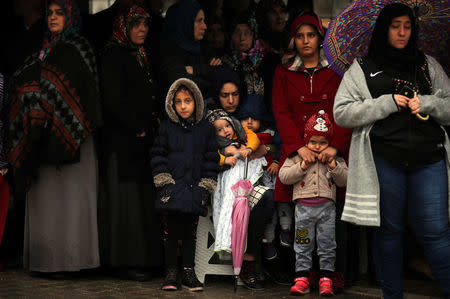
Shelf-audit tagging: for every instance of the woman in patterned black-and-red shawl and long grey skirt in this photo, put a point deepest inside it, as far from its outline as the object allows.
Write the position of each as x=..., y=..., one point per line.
x=54, y=109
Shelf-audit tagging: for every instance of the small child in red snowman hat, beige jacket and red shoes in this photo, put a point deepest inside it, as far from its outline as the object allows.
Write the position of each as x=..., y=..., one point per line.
x=315, y=192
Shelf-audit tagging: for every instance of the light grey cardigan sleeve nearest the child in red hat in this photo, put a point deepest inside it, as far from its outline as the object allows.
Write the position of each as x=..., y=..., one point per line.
x=352, y=109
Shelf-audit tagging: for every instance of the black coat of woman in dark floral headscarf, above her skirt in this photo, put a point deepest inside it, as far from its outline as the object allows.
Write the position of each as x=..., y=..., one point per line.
x=130, y=107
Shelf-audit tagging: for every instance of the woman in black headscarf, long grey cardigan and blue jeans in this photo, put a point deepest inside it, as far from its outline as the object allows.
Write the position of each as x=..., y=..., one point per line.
x=397, y=100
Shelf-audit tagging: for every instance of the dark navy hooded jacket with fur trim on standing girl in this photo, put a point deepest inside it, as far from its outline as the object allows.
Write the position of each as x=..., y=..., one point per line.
x=184, y=157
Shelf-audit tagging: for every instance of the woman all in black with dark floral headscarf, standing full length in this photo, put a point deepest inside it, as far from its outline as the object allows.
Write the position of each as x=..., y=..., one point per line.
x=129, y=232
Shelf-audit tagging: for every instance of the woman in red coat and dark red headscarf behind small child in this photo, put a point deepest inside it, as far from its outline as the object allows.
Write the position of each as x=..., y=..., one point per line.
x=303, y=85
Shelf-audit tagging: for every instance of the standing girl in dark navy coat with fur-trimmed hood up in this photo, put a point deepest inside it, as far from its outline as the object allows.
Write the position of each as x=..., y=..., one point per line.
x=184, y=167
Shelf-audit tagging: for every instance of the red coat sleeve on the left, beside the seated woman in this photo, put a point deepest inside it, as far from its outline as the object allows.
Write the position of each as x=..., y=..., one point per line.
x=286, y=125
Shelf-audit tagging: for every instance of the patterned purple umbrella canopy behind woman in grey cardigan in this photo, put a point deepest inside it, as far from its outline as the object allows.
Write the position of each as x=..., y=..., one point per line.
x=349, y=34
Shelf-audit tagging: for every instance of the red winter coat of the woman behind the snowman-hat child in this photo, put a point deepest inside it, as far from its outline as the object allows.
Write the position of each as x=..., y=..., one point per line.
x=296, y=97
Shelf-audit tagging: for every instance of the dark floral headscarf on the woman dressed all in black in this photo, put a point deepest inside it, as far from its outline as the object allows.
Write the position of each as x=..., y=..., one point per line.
x=122, y=26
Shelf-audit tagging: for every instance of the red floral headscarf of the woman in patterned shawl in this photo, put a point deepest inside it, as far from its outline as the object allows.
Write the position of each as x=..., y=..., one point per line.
x=72, y=25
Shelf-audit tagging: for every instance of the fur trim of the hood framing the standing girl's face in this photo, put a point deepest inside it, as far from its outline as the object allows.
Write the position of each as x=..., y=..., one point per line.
x=198, y=98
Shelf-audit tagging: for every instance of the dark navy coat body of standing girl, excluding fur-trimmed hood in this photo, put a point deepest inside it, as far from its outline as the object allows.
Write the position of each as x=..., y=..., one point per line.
x=188, y=155
